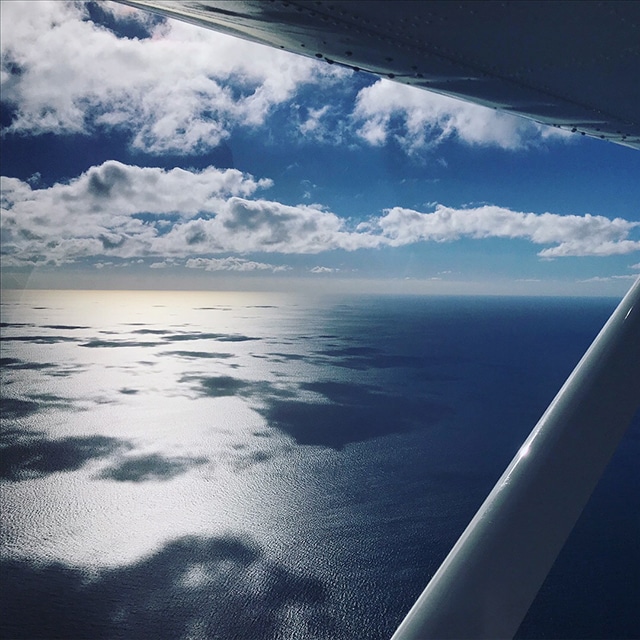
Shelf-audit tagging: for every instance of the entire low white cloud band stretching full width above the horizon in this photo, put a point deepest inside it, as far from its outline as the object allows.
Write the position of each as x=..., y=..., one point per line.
x=193, y=218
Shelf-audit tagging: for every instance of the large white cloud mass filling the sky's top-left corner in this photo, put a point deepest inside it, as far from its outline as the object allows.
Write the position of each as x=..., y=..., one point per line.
x=181, y=90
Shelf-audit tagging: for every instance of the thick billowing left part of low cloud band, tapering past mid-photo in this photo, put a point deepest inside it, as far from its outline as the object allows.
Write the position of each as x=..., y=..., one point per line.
x=124, y=211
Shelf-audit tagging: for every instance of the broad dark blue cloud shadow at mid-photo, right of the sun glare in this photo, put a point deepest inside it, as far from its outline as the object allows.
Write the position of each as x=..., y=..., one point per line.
x=350, y=413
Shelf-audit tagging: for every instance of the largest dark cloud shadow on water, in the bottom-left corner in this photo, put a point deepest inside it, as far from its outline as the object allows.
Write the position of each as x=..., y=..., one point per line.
x=218, y=587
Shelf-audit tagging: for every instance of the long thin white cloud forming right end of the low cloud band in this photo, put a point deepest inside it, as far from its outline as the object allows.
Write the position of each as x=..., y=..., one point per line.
x=573, y=235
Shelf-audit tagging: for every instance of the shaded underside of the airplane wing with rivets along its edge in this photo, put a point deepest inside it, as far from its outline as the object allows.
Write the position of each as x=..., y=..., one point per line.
x=570, y=64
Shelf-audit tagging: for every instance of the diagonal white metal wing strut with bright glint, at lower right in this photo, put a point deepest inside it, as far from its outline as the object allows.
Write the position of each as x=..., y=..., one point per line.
x=486, y=584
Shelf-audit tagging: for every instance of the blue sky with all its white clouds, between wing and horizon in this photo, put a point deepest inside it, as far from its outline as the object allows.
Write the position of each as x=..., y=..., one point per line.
x=145, y=153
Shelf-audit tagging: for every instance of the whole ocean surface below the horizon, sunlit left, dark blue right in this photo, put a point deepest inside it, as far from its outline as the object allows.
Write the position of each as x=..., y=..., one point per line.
x=270, y=466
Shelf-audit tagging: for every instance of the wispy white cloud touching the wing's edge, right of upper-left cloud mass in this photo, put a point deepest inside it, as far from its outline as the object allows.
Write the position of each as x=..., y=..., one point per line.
x=419, y=119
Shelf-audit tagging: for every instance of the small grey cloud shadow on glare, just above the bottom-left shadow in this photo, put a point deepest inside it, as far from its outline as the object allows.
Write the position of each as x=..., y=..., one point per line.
x=151, y=467
